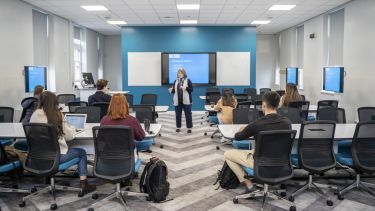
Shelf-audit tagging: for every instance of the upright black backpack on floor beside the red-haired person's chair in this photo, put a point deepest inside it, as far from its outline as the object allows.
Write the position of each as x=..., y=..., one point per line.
x=154, y=180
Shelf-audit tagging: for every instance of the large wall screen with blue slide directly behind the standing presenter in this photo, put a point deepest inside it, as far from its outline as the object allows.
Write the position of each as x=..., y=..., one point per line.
x=200, y=67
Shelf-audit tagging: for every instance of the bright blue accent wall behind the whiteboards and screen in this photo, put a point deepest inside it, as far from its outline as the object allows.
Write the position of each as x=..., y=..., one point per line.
x=185, y=39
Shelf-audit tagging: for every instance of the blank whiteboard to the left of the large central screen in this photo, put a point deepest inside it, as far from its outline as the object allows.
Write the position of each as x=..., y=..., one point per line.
x=144, y=69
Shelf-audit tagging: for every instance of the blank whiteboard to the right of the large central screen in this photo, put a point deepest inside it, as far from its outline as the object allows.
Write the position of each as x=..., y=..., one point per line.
x=233, y=68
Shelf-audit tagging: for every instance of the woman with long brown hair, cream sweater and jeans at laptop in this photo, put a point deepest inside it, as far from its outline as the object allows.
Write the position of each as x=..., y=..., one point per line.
x=48, y=112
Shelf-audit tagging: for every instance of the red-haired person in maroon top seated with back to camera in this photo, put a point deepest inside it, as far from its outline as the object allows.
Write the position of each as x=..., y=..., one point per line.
x=118, y=114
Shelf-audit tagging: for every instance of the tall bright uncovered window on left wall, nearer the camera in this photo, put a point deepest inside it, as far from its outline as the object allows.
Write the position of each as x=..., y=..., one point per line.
x=77, y=43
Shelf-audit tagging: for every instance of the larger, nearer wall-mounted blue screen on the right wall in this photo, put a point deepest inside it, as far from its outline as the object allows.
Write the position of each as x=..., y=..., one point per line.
x=333, y=79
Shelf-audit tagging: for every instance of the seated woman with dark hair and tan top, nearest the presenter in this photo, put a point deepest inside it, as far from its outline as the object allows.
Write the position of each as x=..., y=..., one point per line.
x=225, y=106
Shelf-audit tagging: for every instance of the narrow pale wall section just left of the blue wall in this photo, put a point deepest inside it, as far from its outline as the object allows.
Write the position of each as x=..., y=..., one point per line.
x=112, y=61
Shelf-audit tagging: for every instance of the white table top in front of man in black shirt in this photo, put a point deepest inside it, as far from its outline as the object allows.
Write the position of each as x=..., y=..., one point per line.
x=343, y=131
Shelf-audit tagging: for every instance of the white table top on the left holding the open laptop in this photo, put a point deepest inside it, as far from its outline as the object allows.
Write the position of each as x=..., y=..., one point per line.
x=15, y=130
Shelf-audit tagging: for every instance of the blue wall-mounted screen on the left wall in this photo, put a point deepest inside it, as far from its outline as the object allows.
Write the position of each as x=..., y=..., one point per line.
x=34, y=76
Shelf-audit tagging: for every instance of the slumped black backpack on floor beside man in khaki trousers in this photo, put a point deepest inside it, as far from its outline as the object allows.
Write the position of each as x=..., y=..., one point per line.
x=226, y=178
